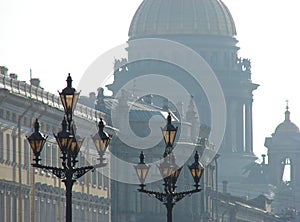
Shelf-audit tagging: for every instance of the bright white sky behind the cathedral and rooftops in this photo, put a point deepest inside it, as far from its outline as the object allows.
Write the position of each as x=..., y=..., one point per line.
x=56, y=37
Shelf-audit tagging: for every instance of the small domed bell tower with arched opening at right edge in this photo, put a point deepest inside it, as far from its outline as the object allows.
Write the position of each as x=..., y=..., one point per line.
x=284, y=164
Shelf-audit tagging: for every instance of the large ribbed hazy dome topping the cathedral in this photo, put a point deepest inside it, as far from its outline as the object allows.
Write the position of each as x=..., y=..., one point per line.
x=171, y=17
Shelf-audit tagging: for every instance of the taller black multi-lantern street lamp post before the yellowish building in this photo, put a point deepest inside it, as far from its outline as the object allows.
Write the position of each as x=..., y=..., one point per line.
x=69, y=145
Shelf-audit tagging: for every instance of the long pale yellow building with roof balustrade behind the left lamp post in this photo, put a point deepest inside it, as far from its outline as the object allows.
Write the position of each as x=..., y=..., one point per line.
x=29, y=194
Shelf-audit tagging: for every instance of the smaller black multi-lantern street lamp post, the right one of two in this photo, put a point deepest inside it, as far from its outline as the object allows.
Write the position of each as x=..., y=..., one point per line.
x=169, y=172
